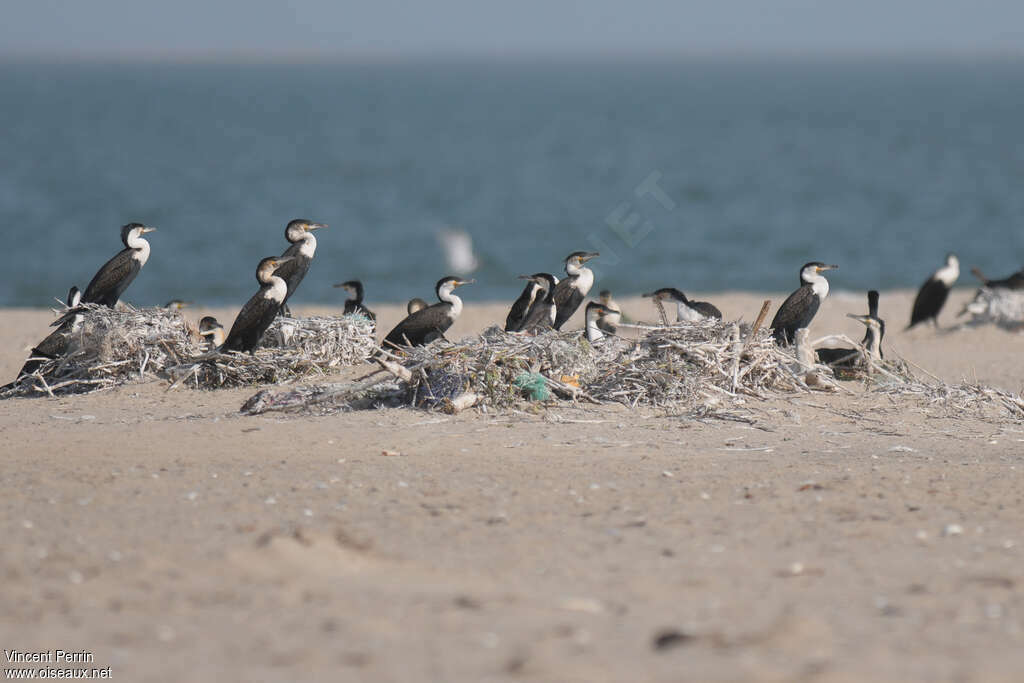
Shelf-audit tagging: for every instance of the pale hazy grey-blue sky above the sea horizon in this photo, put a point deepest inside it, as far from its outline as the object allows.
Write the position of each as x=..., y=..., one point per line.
x=297, y=29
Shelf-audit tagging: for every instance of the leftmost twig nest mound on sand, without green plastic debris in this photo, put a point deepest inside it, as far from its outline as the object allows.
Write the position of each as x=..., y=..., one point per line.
x=112, y=348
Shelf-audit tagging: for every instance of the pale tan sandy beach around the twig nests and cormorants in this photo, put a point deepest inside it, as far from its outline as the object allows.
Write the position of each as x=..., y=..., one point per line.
x=830, y=538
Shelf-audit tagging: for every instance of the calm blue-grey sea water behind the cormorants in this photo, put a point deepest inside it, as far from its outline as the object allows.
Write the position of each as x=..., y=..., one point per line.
x=700, y=176
